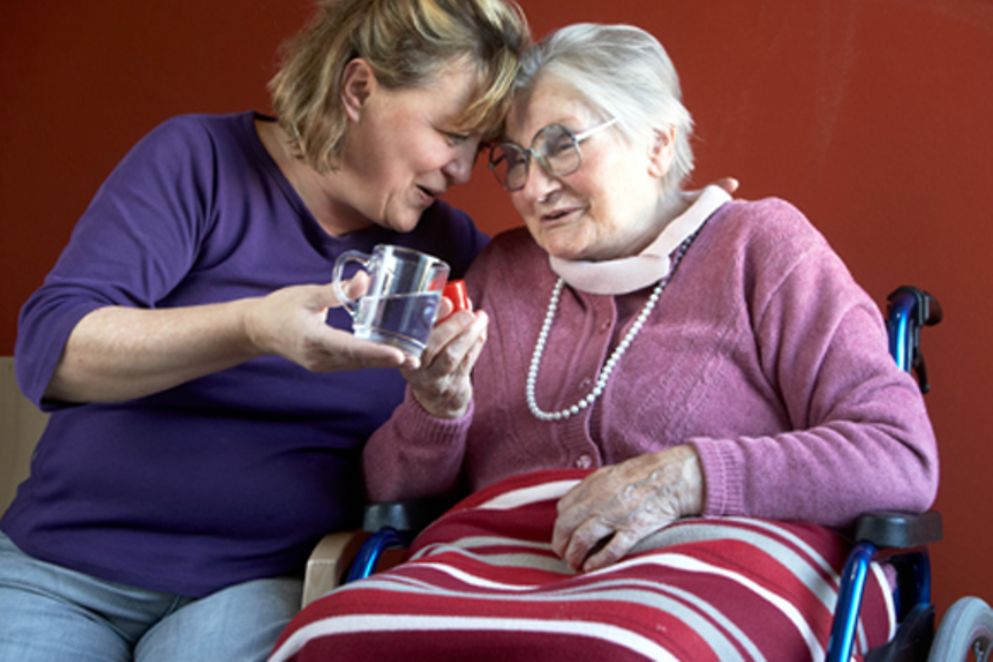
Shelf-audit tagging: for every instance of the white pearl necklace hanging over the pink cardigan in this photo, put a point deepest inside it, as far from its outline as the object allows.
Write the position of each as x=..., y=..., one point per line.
x=608, y=367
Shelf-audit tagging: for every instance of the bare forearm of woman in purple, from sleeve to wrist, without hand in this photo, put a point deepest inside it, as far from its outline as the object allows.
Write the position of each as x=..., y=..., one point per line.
x=117, y=353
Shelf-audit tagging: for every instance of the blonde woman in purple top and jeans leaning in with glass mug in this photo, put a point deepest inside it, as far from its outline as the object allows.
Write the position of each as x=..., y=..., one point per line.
x=208, y=414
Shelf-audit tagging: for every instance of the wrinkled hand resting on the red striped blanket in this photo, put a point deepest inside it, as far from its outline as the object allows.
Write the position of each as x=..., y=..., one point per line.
x=614, y=508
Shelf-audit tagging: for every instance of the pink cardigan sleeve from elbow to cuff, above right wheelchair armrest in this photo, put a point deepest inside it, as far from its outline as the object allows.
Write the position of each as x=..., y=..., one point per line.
x=828, y=474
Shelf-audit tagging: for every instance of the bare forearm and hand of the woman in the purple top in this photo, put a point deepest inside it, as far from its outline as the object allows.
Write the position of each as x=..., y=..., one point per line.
x=117, y=353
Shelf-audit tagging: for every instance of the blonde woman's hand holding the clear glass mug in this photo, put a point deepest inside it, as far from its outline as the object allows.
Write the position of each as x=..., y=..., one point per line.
x=291, y=322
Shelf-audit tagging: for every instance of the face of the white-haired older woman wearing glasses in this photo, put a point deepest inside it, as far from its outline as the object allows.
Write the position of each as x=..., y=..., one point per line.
x=605, y=209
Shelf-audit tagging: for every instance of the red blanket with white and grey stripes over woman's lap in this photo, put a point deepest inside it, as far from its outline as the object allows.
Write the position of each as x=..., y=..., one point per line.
x=483, y=584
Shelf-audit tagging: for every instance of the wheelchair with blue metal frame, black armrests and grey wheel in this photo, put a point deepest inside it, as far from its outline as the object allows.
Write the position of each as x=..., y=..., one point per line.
x=899, y=538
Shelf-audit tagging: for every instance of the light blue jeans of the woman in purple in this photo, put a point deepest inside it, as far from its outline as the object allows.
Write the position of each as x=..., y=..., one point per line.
x=49, y=613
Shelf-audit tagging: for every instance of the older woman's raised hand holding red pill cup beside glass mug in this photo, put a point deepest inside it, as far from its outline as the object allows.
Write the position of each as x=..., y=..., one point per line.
x=442, y=384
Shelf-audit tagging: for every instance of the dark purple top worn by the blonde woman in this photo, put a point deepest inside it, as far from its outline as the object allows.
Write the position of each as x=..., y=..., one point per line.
x=235, y=475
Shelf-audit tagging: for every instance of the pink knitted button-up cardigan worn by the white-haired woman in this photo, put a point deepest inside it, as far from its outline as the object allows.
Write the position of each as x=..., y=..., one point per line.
x=762, y=353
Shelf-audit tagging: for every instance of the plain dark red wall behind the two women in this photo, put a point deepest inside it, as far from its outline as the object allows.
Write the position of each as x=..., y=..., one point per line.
x=875, y=118
